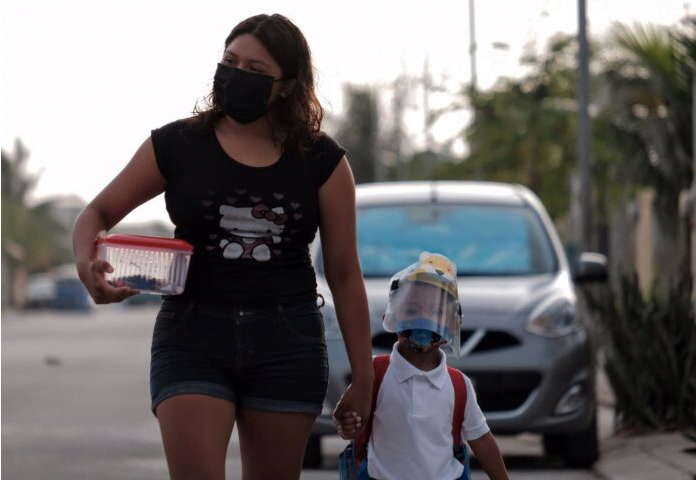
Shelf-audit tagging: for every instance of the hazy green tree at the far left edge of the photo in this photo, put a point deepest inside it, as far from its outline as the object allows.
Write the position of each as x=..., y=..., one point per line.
x=30, y=226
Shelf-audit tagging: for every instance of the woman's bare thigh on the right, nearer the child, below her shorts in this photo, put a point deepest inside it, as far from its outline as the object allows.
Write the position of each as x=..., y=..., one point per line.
x=272, y=444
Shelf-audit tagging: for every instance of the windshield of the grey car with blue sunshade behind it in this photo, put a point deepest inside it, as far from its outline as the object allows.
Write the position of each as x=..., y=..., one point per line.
x=482, y=240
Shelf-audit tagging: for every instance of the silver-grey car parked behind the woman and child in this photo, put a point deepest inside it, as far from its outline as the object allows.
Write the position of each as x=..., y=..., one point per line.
x=526, y=343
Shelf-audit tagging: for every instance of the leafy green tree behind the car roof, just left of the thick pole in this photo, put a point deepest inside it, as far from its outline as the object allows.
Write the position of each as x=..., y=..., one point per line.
x=523, y=130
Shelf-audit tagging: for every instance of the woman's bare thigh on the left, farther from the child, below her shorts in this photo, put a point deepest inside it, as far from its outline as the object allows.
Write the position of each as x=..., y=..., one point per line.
x=196, y=430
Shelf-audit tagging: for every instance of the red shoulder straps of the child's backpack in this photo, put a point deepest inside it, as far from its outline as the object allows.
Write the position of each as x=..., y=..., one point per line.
x=381, y=363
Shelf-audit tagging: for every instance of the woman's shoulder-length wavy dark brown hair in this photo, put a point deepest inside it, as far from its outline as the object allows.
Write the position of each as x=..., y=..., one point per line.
x=296, y=117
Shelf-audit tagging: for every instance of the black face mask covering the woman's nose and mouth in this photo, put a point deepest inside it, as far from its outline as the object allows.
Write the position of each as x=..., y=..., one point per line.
x=243, y=95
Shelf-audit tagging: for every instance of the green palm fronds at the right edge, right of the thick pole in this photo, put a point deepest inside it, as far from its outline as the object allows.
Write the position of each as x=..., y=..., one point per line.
x=649, y=107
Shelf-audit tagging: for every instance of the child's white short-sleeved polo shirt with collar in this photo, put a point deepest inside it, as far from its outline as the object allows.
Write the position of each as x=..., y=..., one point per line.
x=412, y=426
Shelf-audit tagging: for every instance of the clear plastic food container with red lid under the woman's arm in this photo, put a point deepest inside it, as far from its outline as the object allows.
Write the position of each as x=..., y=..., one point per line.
x=151, y=265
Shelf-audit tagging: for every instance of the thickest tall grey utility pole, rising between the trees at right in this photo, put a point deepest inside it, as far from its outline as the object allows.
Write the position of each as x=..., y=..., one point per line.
x=585, y=235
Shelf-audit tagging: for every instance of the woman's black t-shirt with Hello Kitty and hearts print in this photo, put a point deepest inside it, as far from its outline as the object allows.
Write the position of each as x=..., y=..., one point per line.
x=250, y=227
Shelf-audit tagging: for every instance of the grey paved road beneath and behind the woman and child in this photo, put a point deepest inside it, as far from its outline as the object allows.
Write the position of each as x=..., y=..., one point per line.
x=75, y=404
